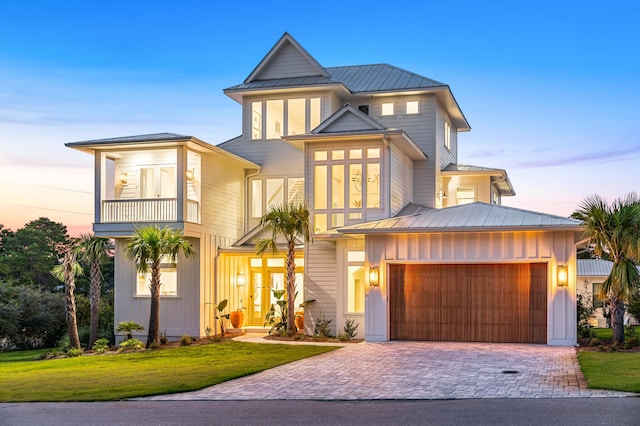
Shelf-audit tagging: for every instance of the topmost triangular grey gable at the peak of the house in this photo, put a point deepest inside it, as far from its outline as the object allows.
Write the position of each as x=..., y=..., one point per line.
x=285, y=52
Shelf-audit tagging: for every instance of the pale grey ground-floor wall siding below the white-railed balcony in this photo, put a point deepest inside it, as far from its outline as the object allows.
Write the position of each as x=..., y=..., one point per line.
x=178, y=314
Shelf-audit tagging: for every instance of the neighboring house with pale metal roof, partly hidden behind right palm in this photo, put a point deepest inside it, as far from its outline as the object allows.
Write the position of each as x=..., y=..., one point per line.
x=591, y=274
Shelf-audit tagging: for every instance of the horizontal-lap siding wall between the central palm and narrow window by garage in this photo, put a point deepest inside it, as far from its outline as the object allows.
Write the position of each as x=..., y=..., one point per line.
x=320, y=283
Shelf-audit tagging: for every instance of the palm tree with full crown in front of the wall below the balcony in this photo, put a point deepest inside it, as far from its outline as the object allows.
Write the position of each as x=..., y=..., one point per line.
x=147, y=247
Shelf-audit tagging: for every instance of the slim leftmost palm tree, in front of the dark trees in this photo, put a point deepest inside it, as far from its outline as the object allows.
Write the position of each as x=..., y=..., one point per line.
x=66, y=272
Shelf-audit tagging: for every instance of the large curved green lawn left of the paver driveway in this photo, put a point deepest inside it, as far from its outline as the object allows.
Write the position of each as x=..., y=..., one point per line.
x=114, y=377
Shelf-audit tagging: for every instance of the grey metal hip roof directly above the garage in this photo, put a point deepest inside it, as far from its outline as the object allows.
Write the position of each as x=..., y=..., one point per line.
x=474, y=217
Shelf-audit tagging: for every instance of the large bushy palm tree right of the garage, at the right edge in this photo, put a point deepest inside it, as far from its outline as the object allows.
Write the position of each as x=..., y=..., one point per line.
x=615, y=229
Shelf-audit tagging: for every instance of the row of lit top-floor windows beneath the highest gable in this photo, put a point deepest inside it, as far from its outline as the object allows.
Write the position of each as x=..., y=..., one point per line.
x=275, y=118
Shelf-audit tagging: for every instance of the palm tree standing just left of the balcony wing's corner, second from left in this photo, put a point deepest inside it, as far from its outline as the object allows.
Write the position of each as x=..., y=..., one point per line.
x=94, y=251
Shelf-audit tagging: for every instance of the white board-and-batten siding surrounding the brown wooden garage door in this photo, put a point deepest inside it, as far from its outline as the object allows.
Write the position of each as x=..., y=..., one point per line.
x=551, y=247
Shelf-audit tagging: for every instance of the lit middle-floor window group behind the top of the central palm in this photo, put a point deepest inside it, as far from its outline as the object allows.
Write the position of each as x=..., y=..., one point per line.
x=271, y=191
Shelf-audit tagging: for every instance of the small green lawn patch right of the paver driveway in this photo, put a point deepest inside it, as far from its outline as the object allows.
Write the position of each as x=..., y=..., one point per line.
x=611, y=370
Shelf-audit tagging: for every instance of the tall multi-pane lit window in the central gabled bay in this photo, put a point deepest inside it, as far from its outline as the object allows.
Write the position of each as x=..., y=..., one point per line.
x=345, y=182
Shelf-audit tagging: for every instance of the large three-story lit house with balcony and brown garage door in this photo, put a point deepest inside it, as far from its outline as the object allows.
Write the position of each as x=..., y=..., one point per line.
x=409, y=243
